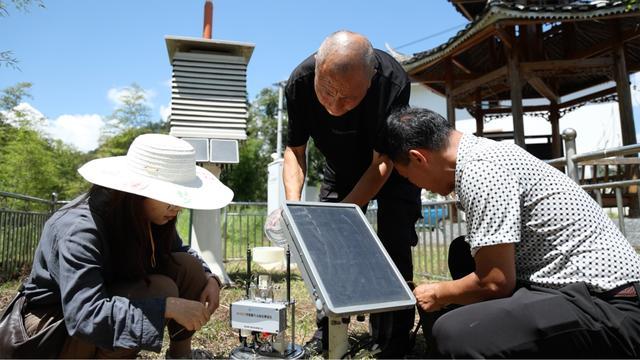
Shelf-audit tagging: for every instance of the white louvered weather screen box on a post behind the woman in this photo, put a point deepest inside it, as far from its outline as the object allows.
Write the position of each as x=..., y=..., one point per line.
x=208, y=90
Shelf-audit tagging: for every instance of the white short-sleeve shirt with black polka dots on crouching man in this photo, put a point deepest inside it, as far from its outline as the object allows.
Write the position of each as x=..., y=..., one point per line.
x=561, y=234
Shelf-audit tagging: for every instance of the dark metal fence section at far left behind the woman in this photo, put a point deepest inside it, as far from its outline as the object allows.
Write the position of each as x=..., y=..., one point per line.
x=21, y=221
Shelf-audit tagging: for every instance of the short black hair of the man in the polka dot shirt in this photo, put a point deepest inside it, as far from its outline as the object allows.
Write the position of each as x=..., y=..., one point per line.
x=415, y=128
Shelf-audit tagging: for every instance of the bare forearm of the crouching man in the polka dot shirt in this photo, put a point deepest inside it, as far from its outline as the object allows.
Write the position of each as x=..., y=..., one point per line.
x=494, y=277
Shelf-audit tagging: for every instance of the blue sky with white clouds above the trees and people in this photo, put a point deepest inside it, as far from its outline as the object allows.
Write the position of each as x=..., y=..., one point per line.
x=80, y=54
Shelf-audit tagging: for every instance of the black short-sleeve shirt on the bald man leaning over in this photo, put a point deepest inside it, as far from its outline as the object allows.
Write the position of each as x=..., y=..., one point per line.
x=346, y=141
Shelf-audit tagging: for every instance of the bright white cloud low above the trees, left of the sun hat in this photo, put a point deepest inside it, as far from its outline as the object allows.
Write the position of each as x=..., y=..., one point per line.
x=81, y=131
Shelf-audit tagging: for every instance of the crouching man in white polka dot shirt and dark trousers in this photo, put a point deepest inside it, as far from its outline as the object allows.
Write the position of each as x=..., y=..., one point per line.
x=542, y=272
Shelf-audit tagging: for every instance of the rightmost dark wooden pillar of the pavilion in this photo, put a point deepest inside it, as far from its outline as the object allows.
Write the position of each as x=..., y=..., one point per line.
x=621, y=77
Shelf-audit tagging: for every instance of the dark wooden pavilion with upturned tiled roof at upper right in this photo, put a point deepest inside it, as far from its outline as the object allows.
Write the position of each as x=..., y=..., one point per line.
x=530, y=56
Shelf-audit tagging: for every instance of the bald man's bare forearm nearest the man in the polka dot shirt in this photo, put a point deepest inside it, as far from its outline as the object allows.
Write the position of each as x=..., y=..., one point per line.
x=371, y=181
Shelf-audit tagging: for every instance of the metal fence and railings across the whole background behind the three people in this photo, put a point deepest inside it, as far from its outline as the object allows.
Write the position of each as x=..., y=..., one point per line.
x=22, y=218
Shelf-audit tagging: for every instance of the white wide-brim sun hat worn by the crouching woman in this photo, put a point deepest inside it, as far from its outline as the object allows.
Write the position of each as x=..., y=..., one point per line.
x=160, y=167
